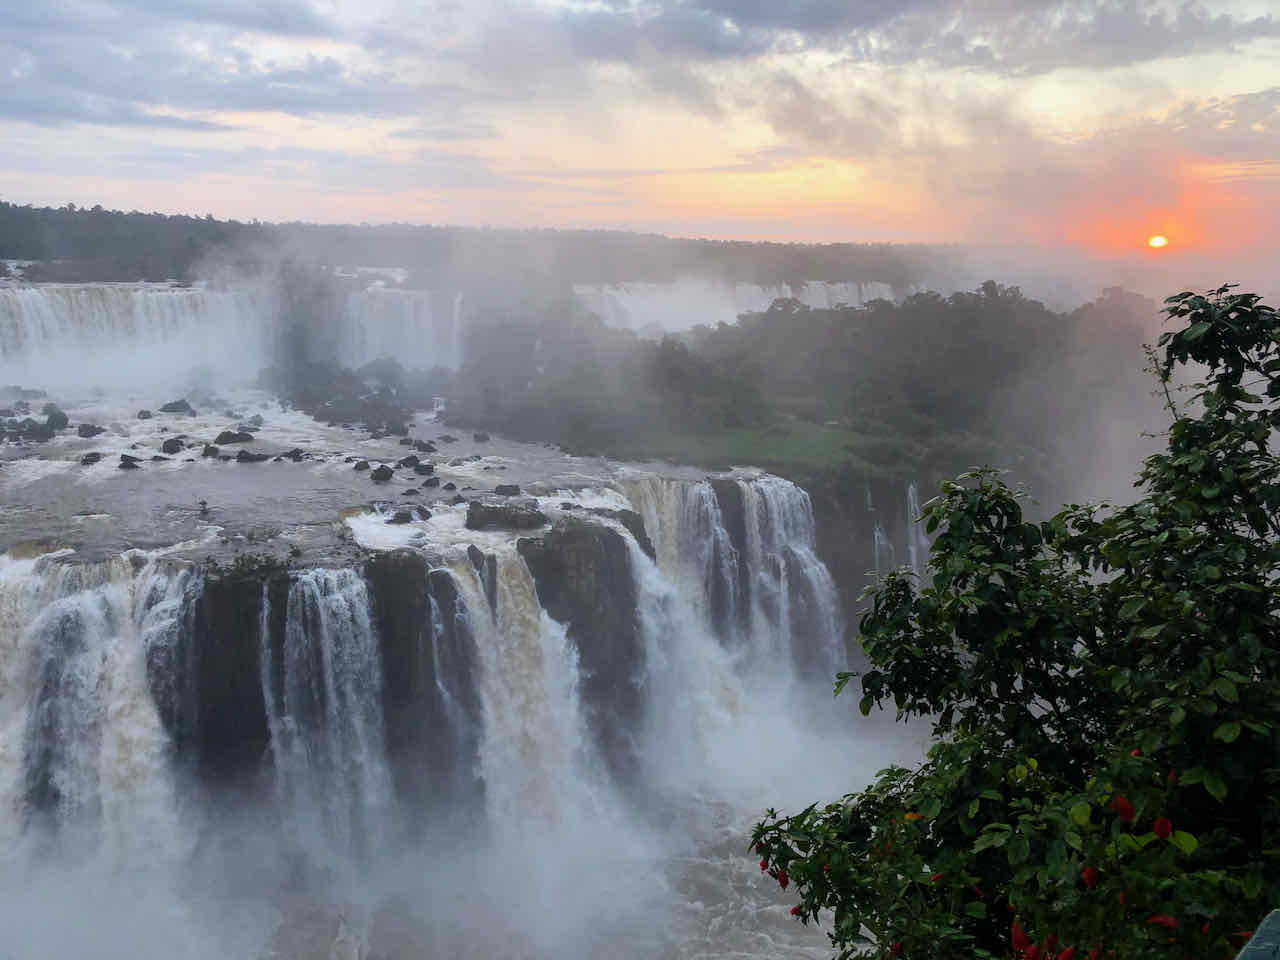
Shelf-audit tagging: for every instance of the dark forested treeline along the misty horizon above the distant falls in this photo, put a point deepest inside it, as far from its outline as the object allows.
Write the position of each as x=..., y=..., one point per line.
x=108, y=245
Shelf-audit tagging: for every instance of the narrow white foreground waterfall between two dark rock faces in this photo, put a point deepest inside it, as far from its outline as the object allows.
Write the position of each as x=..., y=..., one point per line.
x=326, y=715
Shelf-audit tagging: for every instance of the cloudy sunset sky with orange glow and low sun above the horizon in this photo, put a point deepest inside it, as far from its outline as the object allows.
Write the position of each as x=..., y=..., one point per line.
x=1091, y=124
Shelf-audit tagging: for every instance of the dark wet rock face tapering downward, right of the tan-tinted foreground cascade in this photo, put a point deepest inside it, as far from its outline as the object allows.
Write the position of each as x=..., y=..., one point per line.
x=583, y=574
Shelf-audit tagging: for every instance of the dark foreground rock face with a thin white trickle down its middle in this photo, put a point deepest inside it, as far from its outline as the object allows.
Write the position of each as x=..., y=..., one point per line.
x=431, y=707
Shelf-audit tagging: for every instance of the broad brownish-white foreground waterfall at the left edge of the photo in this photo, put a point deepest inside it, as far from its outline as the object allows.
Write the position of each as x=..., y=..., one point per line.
x=83, y=749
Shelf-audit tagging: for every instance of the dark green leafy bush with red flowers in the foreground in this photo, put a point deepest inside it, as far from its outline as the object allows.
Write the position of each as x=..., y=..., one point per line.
x=1105, y=697
